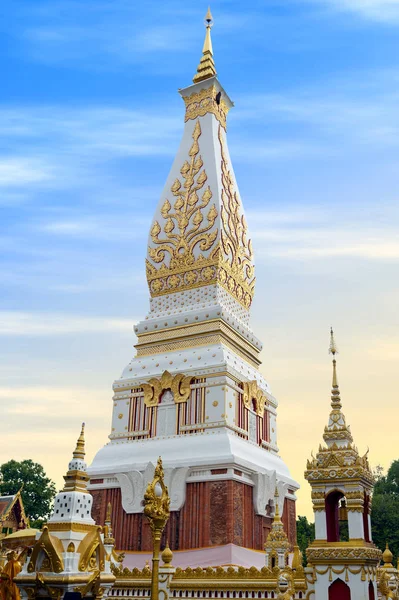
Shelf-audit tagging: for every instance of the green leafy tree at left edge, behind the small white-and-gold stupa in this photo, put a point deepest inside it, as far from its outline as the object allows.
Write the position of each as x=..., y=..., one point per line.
x=38, y=491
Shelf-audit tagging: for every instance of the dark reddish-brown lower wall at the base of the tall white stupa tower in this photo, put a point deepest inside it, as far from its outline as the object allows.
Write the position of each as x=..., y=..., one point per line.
x=215, y=513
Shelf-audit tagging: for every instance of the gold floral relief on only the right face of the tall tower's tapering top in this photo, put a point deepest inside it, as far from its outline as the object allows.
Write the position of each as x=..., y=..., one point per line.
x=240, y=275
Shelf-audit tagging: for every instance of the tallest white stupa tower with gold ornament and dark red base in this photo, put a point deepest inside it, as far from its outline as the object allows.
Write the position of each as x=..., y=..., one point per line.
x=193, y=393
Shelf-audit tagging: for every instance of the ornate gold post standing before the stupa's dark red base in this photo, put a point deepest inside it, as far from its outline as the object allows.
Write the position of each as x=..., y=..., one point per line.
x=156, y=509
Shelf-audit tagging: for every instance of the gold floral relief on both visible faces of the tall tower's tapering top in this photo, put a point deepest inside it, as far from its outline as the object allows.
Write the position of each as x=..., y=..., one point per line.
x=228, y=259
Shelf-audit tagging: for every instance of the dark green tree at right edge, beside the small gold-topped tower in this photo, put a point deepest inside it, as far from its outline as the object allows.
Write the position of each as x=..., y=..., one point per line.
x=385, y=509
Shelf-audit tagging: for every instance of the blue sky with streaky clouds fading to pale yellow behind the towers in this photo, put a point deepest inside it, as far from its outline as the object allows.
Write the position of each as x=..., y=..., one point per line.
x=90, y=121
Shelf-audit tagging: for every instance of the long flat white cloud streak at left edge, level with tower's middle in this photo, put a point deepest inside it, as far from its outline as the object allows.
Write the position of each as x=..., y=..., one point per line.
x=18, y=323
